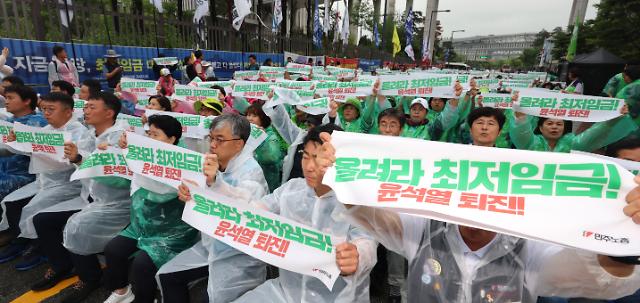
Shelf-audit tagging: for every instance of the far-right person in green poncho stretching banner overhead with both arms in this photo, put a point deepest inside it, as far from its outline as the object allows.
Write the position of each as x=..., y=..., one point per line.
x=555, y=135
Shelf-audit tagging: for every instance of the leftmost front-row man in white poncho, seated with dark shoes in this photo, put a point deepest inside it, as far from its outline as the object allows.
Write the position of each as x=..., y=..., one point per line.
x=55, y=192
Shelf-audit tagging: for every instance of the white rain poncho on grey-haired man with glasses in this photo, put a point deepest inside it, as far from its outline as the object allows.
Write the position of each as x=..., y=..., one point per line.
x=231, y=272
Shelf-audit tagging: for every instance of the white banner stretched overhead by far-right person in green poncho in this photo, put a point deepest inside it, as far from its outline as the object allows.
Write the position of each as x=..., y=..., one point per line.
x=556, y=105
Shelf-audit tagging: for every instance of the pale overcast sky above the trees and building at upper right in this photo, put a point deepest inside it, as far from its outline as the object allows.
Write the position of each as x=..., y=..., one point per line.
x=486, y=17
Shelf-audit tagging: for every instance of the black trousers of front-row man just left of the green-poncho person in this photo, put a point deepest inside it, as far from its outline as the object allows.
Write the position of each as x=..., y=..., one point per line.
x=49, y=227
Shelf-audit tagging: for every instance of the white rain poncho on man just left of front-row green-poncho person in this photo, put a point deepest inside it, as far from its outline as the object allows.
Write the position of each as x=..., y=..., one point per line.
x=89, y=231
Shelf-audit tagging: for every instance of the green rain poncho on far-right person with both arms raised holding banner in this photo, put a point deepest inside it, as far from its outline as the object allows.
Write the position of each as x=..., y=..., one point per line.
x=598, y=135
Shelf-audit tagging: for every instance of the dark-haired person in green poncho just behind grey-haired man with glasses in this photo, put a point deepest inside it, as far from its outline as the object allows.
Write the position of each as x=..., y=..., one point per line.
x=272, y=150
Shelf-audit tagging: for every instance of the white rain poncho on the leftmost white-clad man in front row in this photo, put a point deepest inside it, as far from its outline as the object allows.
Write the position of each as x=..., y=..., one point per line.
x=55, y=192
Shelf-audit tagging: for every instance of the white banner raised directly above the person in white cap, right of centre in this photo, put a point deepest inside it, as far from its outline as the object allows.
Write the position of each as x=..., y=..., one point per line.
x=418, y=85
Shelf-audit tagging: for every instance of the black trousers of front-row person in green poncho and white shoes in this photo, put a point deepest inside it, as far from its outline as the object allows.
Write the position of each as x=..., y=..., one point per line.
x=117, y=253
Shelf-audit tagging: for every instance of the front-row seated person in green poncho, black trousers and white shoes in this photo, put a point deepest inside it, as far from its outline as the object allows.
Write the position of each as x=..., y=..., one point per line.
x=156, y=233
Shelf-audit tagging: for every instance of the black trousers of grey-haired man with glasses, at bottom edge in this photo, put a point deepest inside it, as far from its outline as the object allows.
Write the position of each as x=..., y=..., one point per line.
x=175, y=285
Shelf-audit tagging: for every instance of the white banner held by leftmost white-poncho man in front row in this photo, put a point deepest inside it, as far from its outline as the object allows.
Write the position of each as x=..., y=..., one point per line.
x=37, y=140
